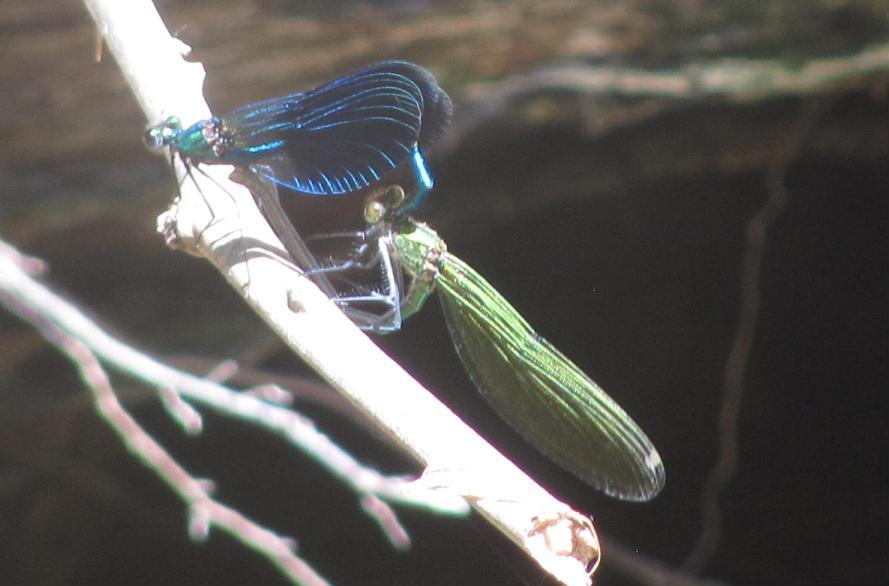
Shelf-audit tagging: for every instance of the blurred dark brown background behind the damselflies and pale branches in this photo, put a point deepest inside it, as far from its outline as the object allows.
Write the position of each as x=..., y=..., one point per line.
x=603, y=166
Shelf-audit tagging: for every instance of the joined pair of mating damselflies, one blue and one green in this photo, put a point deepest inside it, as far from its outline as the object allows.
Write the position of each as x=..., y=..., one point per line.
x=355, y=134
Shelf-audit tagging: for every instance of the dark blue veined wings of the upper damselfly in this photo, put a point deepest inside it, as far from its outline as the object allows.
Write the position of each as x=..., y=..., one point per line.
x=343, y=136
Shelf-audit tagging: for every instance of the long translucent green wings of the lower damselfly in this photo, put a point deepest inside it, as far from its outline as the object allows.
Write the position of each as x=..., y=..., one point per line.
x=541, y=393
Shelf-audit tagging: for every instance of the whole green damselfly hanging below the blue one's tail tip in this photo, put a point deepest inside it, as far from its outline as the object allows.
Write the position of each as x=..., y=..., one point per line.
x=535, y=388
